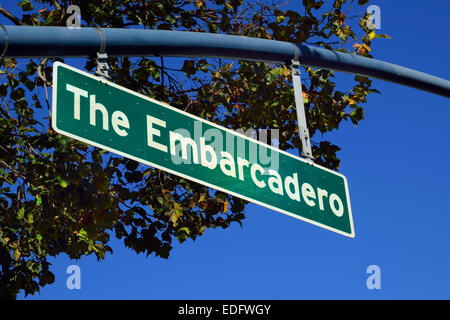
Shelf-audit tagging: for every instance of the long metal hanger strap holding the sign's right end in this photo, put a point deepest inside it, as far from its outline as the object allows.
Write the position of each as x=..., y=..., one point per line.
x=300, y=108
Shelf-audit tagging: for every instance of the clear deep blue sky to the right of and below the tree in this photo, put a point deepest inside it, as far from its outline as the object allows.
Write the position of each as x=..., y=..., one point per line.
x=396, y=165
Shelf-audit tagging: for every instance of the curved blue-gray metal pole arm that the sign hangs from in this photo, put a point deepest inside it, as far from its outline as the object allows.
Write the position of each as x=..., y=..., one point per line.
x=28, y=42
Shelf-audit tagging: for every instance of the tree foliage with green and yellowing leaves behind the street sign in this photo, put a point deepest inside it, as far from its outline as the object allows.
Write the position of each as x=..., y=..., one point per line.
x=58, y=195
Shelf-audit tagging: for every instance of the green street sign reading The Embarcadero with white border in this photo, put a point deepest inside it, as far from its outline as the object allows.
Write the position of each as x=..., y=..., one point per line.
x=108, y=116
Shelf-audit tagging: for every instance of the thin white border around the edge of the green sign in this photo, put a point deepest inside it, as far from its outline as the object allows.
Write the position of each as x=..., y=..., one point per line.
x=54, y=112
